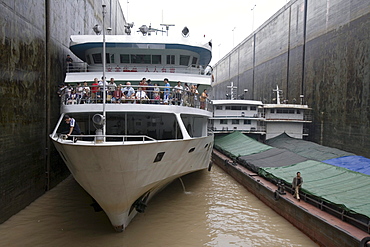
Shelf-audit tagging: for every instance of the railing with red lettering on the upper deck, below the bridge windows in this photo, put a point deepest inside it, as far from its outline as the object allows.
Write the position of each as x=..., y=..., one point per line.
x=82, y=67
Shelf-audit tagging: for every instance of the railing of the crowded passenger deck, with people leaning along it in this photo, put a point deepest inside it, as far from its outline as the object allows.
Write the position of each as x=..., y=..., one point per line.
x=134, y=94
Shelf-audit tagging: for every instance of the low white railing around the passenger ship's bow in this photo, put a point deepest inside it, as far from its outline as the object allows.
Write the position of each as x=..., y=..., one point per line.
x=96, y=139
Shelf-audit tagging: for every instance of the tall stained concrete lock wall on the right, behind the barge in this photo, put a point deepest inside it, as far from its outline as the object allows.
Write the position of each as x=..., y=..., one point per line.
x=320, y=49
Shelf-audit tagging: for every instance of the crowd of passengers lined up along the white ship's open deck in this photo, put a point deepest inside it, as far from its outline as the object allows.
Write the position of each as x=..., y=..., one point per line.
x=145, y=92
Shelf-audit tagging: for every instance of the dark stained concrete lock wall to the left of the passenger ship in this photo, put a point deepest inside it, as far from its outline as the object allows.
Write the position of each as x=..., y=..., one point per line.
x=34, y=40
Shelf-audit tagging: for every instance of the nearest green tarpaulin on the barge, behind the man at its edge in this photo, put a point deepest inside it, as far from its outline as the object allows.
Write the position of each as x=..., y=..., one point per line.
x=347, y=189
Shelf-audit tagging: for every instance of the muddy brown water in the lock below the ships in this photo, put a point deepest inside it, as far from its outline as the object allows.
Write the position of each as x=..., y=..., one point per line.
x=214, y=210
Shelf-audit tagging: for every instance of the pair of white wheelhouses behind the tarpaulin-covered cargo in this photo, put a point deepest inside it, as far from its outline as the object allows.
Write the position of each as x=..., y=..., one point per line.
x=264, y=121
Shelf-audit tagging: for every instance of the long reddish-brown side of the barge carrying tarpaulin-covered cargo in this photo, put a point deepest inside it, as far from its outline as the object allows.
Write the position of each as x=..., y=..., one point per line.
x=321, y=227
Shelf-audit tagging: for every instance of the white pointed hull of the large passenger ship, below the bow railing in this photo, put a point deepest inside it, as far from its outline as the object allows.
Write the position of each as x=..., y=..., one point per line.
x=119, y=175
